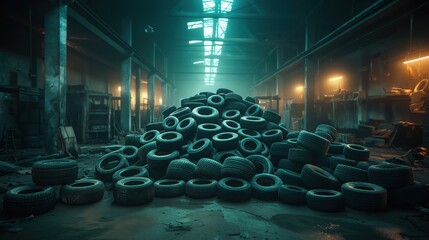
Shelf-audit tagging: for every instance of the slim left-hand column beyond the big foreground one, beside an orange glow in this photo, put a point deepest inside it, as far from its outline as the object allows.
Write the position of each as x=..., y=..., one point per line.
x=126, y=76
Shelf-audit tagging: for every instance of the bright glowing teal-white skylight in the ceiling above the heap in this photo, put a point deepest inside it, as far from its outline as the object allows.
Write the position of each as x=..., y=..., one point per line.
x=214, y=30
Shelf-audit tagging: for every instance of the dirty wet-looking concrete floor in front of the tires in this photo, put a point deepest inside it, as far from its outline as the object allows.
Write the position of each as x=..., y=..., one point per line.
x=185, y=218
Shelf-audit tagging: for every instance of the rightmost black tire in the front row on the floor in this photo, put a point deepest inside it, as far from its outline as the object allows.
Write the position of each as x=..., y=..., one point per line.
x=364, y=196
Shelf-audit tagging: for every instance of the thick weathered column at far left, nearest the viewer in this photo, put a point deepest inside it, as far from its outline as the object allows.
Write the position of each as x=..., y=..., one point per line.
x=55, y=74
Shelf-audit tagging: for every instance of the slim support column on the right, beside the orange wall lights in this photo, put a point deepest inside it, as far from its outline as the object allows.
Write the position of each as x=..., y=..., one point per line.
x=309, y=81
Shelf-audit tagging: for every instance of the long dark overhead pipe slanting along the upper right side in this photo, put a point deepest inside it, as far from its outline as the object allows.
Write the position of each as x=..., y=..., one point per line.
x=366, y=16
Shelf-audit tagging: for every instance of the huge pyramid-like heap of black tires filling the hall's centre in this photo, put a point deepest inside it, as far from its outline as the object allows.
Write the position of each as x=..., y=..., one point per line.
x=219, y=144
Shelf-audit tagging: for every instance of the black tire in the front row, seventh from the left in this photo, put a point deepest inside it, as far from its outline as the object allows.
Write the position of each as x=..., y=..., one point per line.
x=265, y=186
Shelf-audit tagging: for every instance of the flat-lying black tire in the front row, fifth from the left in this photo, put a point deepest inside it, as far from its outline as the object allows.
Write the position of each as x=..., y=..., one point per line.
x=201, y=188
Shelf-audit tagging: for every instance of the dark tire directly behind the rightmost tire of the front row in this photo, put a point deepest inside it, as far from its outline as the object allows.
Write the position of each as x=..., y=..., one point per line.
x=391, y=176
